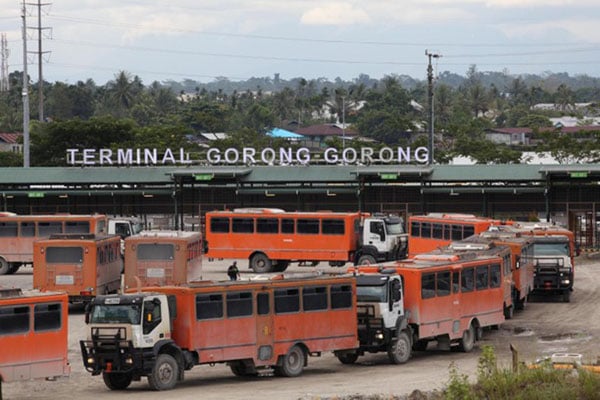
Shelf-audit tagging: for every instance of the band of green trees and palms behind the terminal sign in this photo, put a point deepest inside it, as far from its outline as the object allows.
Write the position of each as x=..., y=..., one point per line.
x=391, y=111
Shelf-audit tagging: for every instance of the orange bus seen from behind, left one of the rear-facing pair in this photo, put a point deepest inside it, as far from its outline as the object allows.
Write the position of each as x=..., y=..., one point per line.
x=83, y=265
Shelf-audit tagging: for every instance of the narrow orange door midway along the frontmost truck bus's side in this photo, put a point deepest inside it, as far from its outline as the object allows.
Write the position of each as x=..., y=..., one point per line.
x=264, y=329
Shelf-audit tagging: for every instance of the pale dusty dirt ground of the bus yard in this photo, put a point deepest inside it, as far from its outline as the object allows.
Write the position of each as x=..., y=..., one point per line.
x=546, y=326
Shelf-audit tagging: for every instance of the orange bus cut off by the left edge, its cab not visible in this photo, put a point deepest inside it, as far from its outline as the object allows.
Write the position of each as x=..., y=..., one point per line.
x=33, y=335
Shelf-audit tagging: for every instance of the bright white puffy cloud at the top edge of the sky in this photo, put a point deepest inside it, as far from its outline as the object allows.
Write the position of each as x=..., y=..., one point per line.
x=336, y=13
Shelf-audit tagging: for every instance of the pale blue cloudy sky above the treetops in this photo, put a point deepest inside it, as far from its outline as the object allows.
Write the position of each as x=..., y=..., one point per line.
x=238, y=39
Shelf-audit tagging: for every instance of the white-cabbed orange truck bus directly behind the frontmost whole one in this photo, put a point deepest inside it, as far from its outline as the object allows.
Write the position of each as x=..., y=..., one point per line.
x=448, y=299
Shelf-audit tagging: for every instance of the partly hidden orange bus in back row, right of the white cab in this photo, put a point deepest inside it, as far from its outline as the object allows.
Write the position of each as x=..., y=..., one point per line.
x=433, y=230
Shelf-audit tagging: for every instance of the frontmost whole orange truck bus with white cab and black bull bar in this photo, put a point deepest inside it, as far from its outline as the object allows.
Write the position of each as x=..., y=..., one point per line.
x=256, y=327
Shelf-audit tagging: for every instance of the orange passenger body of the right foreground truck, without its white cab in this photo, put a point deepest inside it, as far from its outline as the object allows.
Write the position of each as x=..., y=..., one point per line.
x=449, y=298
